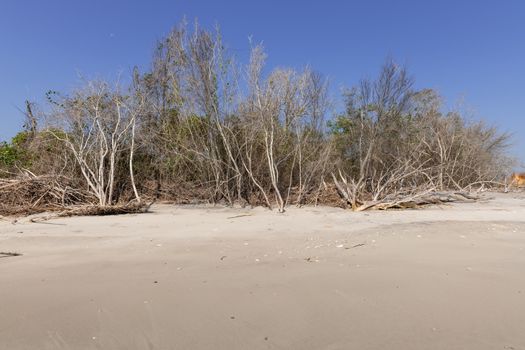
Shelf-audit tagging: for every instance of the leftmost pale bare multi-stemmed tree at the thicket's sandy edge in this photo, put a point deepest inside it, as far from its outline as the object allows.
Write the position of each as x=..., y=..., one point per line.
x=96, y=124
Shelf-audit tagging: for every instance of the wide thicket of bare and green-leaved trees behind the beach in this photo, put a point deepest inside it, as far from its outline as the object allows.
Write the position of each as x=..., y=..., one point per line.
x=198, y=126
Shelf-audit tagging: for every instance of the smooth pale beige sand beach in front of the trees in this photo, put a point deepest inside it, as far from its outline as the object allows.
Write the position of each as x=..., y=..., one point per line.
x=449, y=277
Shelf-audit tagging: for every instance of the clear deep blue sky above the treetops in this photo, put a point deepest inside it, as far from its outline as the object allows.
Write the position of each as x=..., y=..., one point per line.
x=468, y=50
